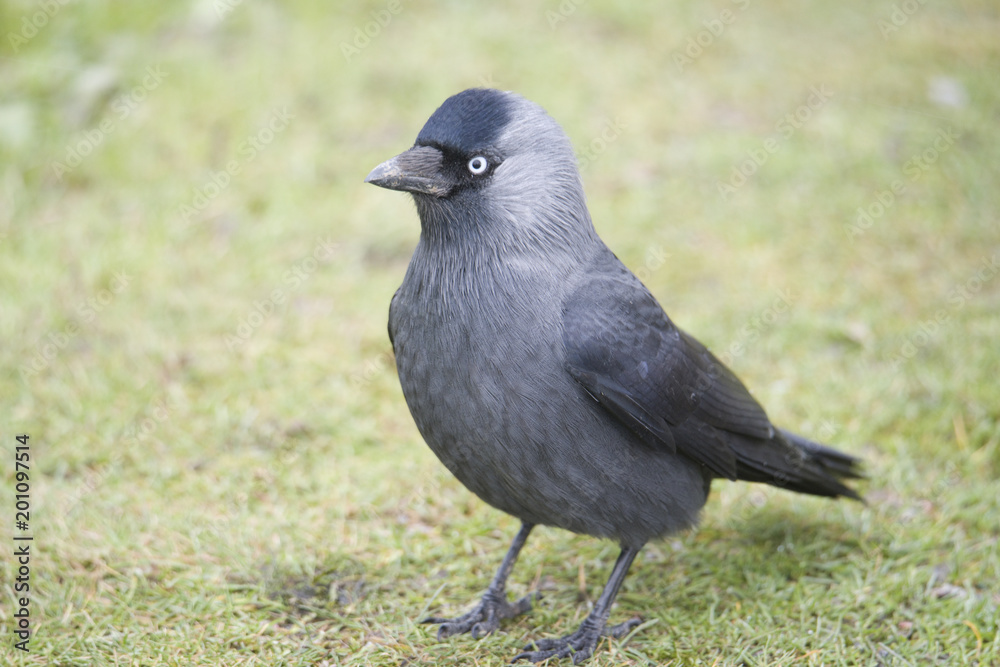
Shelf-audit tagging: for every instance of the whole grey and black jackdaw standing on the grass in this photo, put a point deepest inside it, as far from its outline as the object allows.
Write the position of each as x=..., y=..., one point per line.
x=543, y=373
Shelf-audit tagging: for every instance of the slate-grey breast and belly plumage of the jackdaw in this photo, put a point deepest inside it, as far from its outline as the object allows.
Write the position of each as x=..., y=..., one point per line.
x=484, y=380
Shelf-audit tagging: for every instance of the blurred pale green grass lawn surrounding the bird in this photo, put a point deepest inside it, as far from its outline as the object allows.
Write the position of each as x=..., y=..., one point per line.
x=194, y=284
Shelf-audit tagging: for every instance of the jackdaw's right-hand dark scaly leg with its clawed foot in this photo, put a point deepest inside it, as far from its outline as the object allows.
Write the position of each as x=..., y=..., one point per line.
x=581, y=644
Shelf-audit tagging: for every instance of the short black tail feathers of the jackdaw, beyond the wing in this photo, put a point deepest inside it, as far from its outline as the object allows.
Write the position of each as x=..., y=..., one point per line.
x=798, y=464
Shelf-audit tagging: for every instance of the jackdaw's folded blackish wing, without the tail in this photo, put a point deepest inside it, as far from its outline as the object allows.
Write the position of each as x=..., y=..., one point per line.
x=666, y=386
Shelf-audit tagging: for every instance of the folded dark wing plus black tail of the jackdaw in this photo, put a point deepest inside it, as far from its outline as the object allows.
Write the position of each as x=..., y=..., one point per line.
x=669, y=389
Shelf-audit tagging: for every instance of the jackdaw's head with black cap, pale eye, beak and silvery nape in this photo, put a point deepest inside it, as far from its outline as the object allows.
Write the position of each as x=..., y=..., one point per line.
x=491, y=163
